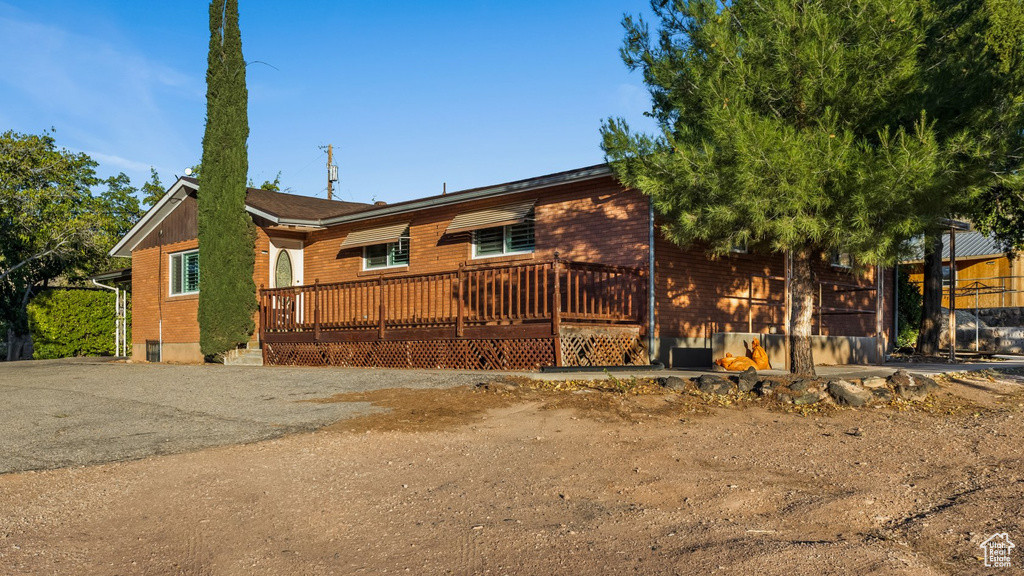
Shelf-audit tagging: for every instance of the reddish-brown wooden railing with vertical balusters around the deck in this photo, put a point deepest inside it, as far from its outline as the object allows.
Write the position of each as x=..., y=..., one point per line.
x=550, y=292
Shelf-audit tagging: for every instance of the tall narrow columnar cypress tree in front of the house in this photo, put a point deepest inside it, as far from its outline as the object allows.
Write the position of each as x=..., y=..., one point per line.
x=227, y=235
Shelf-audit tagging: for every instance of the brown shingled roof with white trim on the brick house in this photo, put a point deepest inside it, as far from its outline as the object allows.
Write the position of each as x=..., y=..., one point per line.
x=294, y=211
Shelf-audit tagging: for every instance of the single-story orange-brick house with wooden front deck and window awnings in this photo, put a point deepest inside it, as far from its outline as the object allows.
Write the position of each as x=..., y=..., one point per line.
x=568, y=269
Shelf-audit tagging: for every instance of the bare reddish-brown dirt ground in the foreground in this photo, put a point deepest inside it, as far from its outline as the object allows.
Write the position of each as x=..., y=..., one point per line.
x=523, y=477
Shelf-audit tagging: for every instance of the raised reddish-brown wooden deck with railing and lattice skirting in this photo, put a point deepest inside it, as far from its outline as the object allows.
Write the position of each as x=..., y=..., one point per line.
x=514, y=317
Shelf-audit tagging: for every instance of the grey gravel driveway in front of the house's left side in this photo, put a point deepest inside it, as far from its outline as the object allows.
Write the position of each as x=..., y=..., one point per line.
x=84, y=412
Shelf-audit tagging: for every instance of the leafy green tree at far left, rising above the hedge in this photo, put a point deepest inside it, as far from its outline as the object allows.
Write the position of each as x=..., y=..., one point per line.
x=53, y=228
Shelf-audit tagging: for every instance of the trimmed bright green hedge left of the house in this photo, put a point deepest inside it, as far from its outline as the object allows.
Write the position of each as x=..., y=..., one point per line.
x=67, y=323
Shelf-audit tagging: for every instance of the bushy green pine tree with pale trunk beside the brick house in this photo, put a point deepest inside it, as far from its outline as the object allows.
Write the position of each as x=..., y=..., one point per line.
x=779, y=132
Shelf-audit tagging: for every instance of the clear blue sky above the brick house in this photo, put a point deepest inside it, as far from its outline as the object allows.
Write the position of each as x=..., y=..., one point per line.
x=412, y=95
